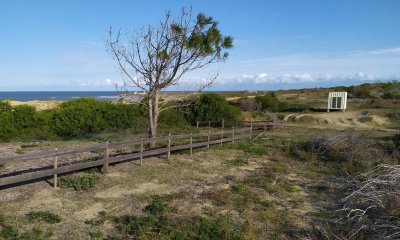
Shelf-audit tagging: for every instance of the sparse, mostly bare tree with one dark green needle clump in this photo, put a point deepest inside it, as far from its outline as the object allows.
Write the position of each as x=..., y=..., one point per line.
x=155, y=58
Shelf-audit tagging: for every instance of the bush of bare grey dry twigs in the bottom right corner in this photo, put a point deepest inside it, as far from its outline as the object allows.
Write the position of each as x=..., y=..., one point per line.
x=370, y=208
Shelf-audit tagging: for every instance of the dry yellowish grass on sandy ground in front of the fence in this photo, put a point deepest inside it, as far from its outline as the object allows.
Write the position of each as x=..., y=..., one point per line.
x=194, y=186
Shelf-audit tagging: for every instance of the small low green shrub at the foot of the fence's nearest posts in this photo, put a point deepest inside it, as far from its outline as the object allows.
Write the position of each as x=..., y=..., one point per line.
x=79, y=183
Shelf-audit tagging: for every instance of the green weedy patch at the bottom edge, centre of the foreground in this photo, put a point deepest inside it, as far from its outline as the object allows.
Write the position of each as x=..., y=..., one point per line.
x=158, y=223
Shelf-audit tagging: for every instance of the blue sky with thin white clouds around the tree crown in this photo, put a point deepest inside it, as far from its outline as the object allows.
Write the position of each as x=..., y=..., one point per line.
x=60, y=45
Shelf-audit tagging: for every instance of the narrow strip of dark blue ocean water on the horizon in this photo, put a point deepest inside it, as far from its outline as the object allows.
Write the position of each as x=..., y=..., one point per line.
x=58, y=95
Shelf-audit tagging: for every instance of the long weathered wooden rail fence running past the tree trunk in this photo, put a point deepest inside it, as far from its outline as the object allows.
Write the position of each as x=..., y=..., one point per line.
x=15, y=178
